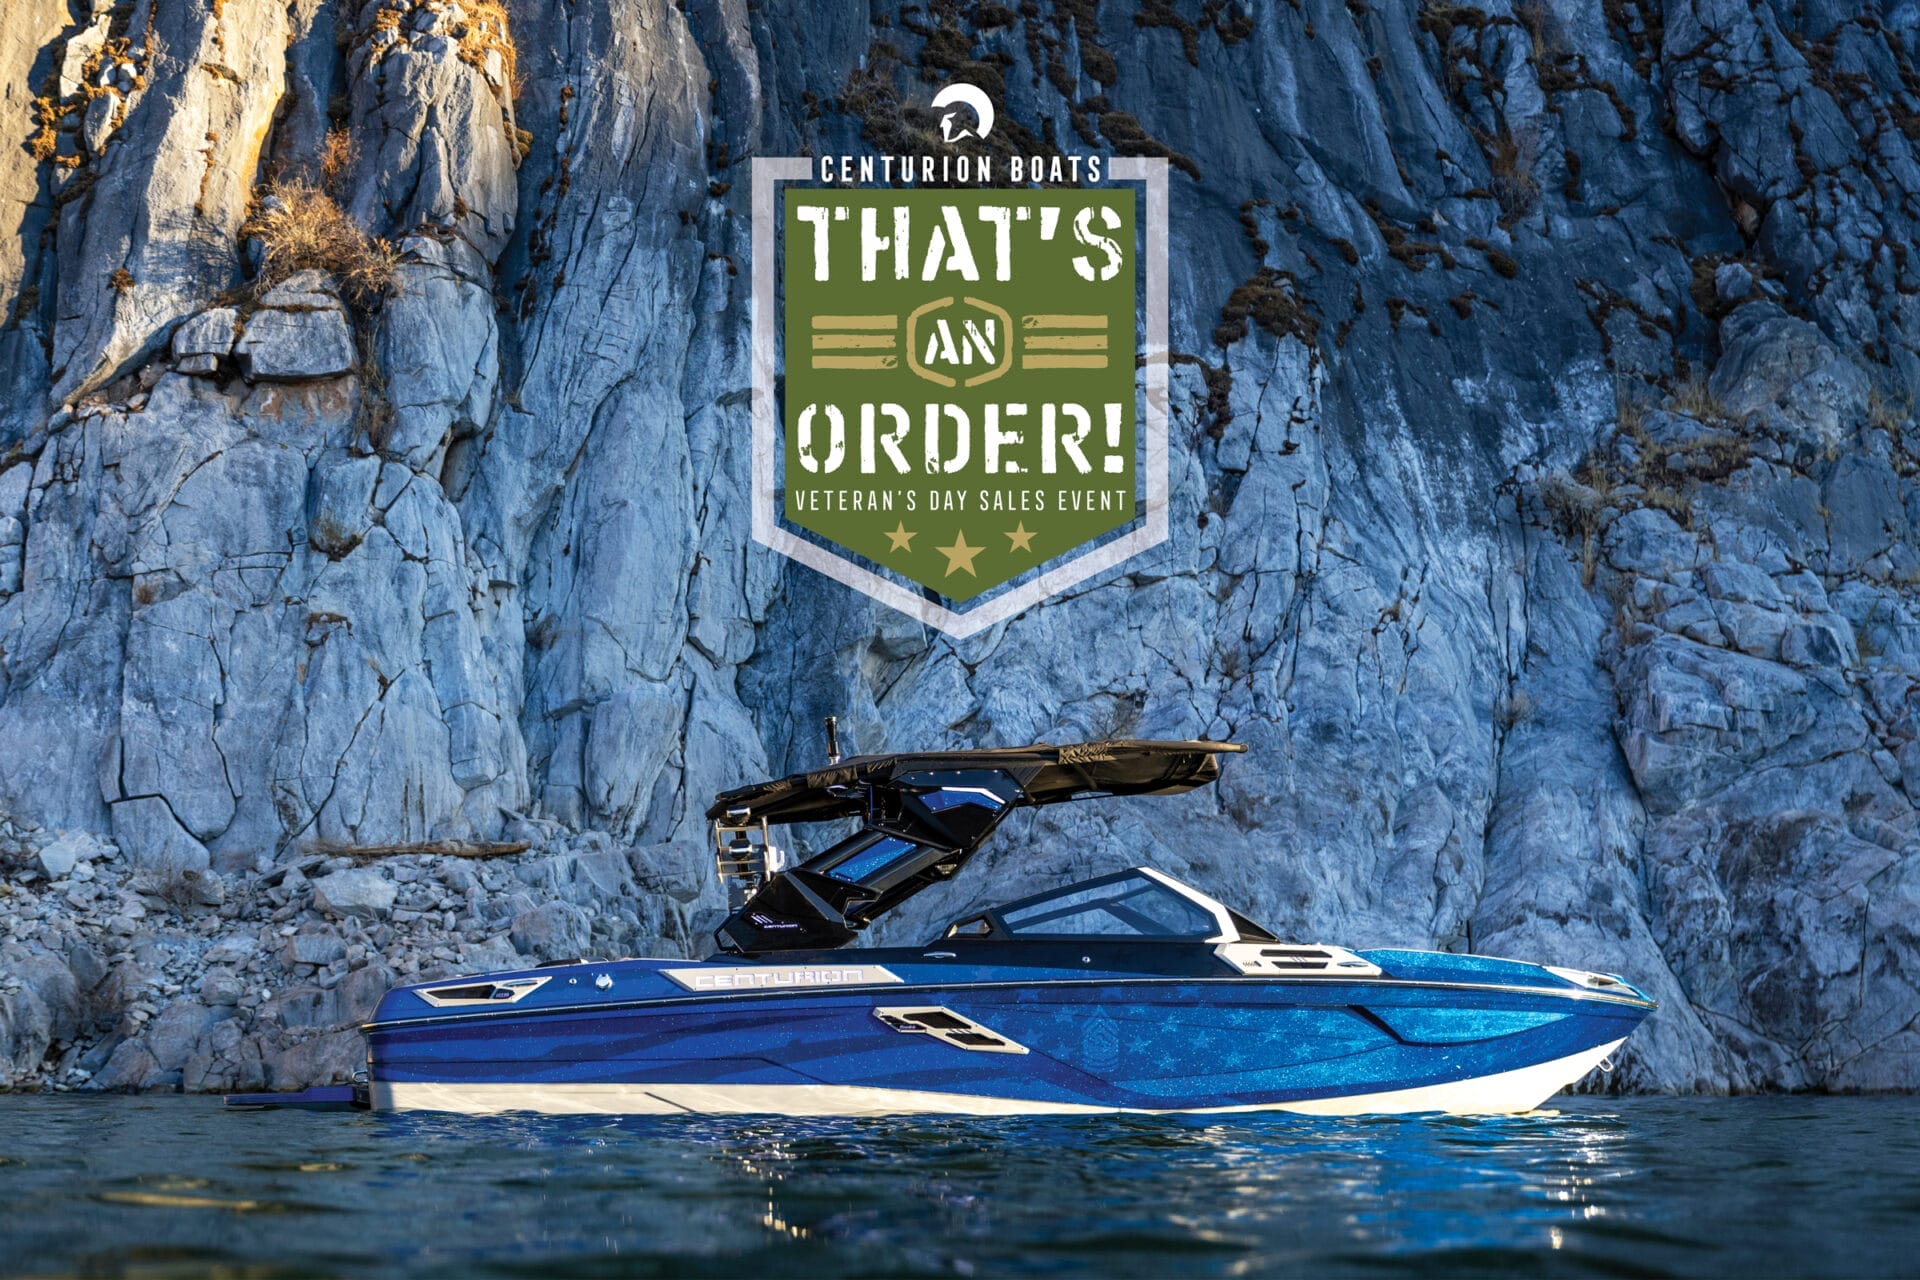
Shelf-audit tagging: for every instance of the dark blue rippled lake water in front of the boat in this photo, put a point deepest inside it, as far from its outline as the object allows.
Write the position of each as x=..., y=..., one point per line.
x=164, y=1187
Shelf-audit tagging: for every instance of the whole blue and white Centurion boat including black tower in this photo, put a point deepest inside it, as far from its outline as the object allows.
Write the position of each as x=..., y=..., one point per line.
x=1124, y=993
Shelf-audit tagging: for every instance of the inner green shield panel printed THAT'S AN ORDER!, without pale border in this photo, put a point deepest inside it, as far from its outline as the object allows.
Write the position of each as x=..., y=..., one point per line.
x=961, y=377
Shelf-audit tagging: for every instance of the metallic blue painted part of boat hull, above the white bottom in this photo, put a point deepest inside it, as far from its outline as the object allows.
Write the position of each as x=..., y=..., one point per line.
x=1097, y=1035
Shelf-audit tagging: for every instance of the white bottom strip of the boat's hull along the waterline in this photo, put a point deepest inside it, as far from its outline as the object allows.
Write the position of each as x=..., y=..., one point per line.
x=1493, y=1095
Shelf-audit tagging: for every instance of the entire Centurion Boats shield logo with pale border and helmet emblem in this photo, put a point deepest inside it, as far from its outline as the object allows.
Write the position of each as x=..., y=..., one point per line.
x=963, y=419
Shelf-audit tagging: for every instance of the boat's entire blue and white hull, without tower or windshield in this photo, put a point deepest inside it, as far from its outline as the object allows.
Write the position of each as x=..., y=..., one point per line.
x=1161, y=1043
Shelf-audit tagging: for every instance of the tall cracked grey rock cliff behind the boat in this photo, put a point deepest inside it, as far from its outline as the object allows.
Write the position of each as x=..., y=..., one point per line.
x=1543, y=511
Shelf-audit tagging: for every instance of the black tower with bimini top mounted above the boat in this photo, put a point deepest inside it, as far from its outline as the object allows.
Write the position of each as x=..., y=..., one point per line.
x=923, y=815
